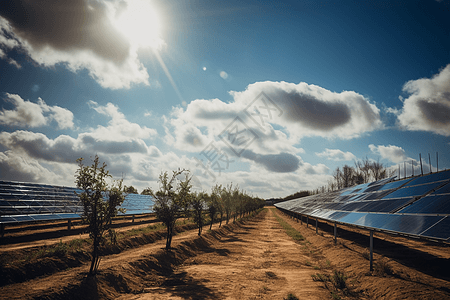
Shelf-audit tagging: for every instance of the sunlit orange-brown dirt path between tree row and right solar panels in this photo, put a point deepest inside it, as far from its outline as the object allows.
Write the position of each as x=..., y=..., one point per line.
x=256, y=261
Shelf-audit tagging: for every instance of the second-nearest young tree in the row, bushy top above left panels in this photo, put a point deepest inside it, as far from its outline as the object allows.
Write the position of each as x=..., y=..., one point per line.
x=168, y=200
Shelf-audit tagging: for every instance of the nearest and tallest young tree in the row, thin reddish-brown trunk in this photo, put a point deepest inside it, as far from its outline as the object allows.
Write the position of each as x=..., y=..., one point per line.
x=100, y=203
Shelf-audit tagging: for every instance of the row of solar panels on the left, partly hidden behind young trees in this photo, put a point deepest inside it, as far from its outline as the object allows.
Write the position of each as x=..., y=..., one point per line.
x=23, y=202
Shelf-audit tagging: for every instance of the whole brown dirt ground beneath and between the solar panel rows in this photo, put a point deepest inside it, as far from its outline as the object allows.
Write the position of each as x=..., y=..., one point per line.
x=267, y=256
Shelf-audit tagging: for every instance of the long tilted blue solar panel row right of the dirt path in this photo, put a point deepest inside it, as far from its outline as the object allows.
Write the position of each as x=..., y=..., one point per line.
x=417, y=206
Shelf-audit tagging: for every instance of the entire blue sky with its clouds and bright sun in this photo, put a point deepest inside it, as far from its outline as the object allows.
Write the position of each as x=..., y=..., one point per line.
x=272, y=97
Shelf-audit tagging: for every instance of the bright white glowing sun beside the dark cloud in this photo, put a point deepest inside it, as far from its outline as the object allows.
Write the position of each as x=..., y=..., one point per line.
x=140, y=23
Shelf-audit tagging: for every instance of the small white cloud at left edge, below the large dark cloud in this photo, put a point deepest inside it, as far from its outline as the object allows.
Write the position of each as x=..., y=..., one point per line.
x=29, y=114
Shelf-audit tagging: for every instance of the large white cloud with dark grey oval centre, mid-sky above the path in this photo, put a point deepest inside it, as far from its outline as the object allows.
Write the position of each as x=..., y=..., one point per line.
x=278, y=115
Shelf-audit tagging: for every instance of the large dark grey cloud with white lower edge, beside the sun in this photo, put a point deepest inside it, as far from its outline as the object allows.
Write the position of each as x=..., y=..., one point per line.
x=79, y=34
